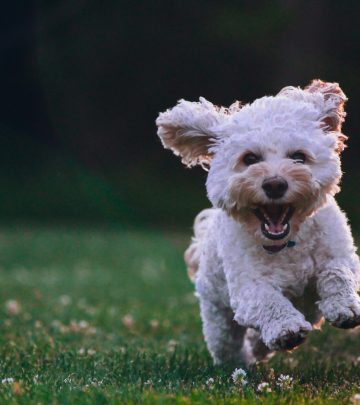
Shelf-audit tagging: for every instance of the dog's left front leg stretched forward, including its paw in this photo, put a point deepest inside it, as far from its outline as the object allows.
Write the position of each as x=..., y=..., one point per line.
x=263, y=307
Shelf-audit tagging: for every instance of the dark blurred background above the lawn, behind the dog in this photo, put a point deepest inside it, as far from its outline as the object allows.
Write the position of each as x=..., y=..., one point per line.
x=82, y=83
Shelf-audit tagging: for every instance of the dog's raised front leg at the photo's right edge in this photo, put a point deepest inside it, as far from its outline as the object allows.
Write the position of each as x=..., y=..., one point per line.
x=337, y=287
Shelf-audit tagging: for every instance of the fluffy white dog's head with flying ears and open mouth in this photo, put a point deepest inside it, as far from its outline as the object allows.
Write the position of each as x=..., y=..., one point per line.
x=271, y=163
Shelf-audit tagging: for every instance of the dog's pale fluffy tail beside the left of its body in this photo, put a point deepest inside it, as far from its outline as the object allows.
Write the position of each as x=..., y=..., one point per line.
x=193, y=252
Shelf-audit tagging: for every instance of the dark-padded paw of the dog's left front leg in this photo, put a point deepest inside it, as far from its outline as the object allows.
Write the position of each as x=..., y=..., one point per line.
x=288, y=335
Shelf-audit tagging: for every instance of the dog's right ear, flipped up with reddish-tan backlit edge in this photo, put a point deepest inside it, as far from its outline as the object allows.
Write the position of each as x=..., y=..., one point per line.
x=334, y=101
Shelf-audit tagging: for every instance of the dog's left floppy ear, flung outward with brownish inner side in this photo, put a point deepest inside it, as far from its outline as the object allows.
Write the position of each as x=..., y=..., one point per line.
x=186, y=129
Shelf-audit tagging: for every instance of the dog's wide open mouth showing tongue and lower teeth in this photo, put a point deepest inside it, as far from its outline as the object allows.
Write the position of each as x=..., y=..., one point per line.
x=274, y=220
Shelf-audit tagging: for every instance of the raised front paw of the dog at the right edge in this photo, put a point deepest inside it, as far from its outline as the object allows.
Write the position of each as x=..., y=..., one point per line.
x=342, y=312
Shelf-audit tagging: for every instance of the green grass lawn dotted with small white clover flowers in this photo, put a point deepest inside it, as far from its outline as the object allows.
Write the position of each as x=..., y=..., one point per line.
x=99, y=315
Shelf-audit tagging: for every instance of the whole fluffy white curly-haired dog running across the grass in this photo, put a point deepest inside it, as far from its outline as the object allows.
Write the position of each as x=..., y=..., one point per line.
x=275, y=254
